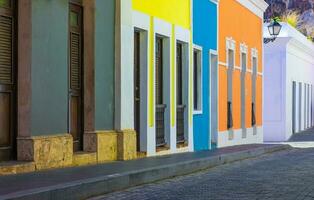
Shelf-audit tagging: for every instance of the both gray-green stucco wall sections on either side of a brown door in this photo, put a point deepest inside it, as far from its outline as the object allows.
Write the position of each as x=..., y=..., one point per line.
x=49, y=106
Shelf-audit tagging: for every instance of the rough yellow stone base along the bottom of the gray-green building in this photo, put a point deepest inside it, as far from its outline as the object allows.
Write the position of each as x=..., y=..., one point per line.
x=56, y=151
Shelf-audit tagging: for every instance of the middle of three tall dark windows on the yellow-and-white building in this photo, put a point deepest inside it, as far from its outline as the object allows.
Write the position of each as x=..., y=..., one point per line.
x=160, y=106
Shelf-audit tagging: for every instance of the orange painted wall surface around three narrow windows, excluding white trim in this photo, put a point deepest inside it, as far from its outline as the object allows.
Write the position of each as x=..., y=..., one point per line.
x=243, y=26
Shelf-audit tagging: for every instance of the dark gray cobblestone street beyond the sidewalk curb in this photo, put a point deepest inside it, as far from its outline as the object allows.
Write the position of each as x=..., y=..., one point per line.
x=283, y=175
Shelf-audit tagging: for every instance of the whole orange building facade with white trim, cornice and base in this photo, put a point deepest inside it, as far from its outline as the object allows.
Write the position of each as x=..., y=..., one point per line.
x=240, y=81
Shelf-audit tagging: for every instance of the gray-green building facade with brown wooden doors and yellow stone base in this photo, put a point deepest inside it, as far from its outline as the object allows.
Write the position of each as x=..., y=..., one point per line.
x=57, y=80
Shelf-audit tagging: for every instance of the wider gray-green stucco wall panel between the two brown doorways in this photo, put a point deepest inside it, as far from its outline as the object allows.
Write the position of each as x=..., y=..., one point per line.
x=49, y=67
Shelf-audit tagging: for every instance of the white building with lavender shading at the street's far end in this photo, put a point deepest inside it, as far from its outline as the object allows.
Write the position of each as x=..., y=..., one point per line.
x=288, y=83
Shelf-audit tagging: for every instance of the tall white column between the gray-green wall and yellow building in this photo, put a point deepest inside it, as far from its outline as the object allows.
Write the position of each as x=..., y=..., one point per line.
x=124, y=83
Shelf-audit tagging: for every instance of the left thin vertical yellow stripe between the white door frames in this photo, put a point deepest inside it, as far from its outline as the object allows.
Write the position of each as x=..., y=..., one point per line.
x=151, y=105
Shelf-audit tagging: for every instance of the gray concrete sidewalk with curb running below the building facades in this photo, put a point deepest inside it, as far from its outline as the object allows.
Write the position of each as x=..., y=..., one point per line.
x=88, y=181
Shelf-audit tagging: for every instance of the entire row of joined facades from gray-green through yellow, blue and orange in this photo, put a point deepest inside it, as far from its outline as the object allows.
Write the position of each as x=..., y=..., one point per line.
x=90, y=81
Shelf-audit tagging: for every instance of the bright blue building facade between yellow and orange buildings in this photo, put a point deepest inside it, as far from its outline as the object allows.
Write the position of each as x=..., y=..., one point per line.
x=205, y=42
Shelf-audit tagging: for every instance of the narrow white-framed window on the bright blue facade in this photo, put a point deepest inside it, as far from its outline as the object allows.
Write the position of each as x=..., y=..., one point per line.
x=197, y=79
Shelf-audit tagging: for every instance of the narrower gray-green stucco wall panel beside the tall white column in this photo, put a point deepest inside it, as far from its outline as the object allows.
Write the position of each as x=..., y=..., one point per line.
x=104, y=65
